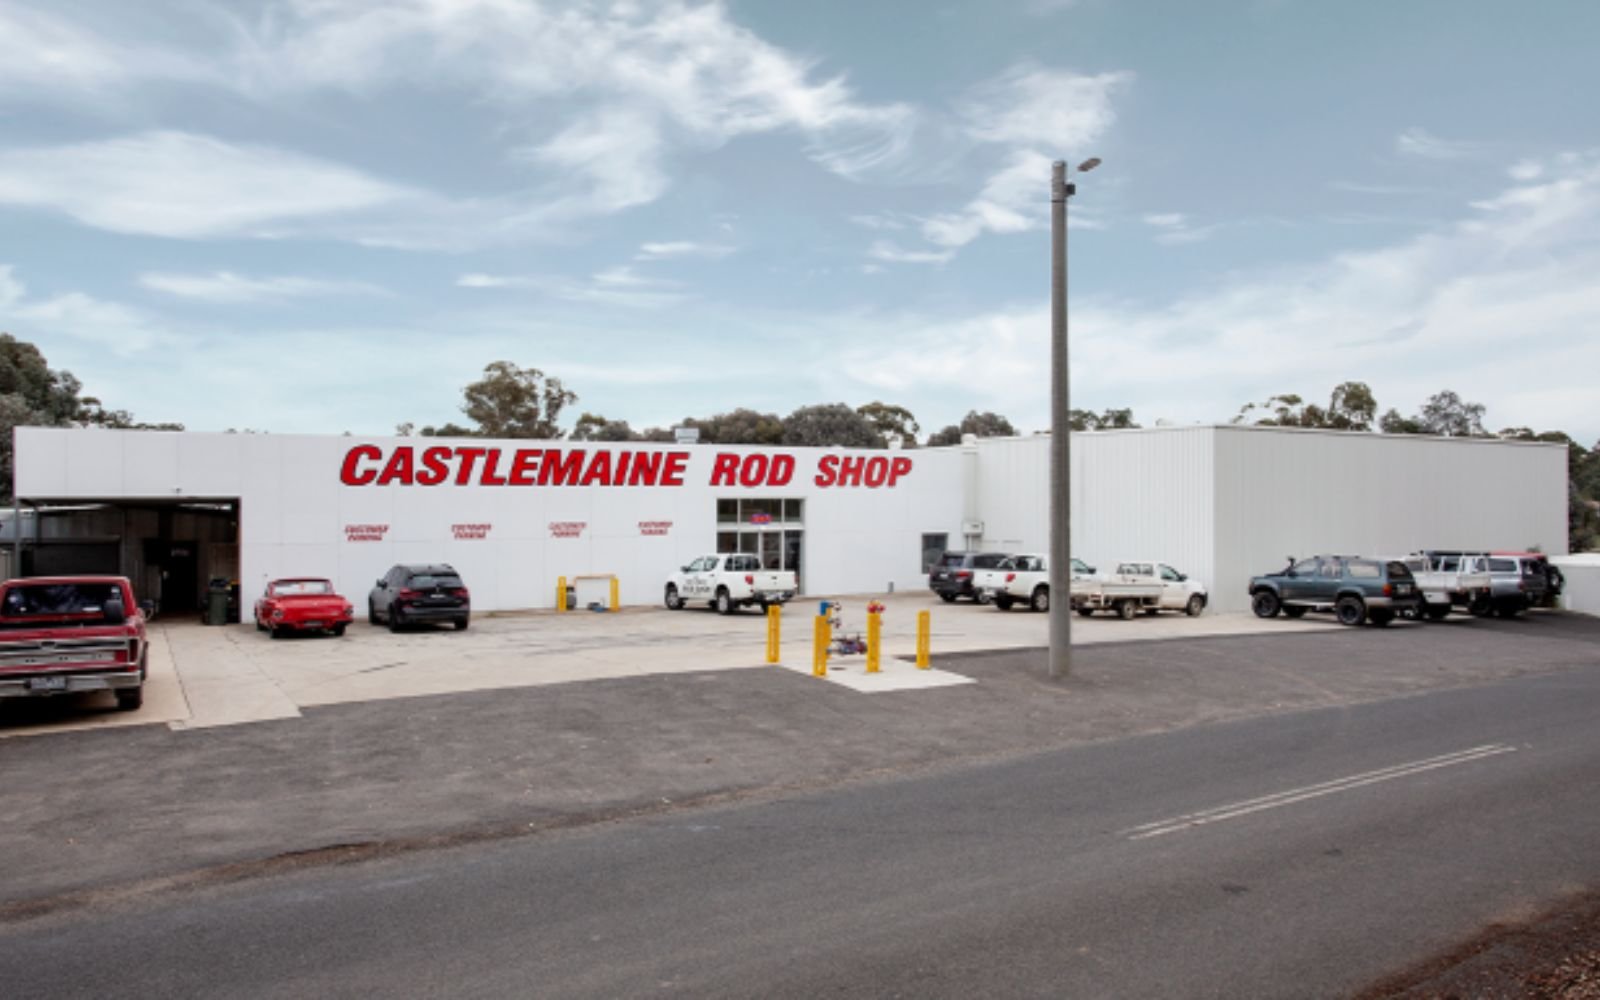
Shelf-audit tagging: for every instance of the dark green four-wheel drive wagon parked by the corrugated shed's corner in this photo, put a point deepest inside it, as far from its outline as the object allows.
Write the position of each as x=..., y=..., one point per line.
x=1356, y=590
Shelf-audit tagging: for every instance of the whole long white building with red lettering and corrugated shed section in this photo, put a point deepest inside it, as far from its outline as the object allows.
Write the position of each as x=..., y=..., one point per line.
x=177, y=510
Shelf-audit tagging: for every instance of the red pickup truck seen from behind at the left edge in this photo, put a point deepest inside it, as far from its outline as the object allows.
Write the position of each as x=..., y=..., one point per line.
x=73, y=634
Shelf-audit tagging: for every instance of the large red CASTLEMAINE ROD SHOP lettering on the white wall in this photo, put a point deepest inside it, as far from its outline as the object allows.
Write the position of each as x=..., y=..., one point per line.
x=487, y=466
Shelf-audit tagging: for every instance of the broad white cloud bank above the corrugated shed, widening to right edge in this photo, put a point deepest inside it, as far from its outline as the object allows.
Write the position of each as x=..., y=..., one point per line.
x=1492, y=306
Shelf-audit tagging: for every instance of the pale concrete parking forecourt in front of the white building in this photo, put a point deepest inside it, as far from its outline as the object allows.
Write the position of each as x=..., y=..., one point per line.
x=206, y=678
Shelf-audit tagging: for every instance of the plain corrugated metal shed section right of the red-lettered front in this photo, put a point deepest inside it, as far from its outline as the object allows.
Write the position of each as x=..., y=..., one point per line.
x=1228, y=503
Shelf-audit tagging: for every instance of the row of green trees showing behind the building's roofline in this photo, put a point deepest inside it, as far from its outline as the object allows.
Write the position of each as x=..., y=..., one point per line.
x=513, y=402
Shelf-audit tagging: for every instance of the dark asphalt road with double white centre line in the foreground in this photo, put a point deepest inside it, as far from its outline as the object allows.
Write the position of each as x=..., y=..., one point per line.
x=1300, y=855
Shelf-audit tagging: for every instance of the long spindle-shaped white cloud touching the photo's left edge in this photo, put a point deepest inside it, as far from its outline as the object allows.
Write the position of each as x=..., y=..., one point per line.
x=186, y=186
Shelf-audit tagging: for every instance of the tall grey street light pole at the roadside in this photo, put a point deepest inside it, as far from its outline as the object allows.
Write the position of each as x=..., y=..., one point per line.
x=1060, y=428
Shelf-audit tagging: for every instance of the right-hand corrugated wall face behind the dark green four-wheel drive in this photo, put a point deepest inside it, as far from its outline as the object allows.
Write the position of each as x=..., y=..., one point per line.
x=1286, y=492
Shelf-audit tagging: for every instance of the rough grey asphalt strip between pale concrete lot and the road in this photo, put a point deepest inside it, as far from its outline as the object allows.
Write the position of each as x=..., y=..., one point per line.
x=94, y=815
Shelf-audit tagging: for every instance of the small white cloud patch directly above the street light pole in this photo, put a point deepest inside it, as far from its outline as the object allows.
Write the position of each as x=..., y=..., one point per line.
x=1057, y=110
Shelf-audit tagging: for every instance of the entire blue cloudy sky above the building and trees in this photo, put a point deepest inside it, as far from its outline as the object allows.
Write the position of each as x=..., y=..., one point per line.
x=330, y=215
